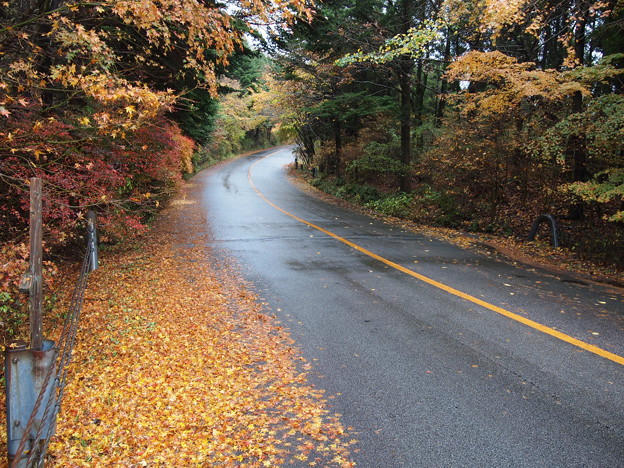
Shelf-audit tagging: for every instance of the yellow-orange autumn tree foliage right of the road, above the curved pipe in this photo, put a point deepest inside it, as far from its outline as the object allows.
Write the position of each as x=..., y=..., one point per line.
x=534, y=136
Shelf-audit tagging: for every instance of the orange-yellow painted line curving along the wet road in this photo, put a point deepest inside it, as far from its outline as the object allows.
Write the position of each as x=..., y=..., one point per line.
x=499, y=310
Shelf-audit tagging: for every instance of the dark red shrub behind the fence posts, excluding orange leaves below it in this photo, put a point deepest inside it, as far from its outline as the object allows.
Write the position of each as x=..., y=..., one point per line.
x=130, y=175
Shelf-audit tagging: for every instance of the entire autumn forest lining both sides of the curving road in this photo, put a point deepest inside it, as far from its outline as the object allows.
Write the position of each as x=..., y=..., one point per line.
x=476, y=115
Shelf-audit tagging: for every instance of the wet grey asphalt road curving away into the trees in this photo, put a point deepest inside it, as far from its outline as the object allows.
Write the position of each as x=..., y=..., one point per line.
x=425, y=373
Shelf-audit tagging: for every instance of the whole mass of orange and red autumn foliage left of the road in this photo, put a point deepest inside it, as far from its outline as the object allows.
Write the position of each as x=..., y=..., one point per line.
x=86, y=95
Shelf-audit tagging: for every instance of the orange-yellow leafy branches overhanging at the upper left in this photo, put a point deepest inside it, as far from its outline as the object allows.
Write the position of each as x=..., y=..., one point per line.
x=86, y=57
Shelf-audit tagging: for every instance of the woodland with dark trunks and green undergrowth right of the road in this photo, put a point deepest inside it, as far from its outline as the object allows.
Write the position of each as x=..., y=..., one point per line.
x=477, y=114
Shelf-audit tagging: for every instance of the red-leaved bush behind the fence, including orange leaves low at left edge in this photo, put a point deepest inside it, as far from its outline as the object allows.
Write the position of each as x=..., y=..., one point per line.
x=124, y=181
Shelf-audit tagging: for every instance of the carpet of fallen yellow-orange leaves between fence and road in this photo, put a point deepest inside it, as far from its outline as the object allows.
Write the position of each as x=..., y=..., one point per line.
x=176, y=366
